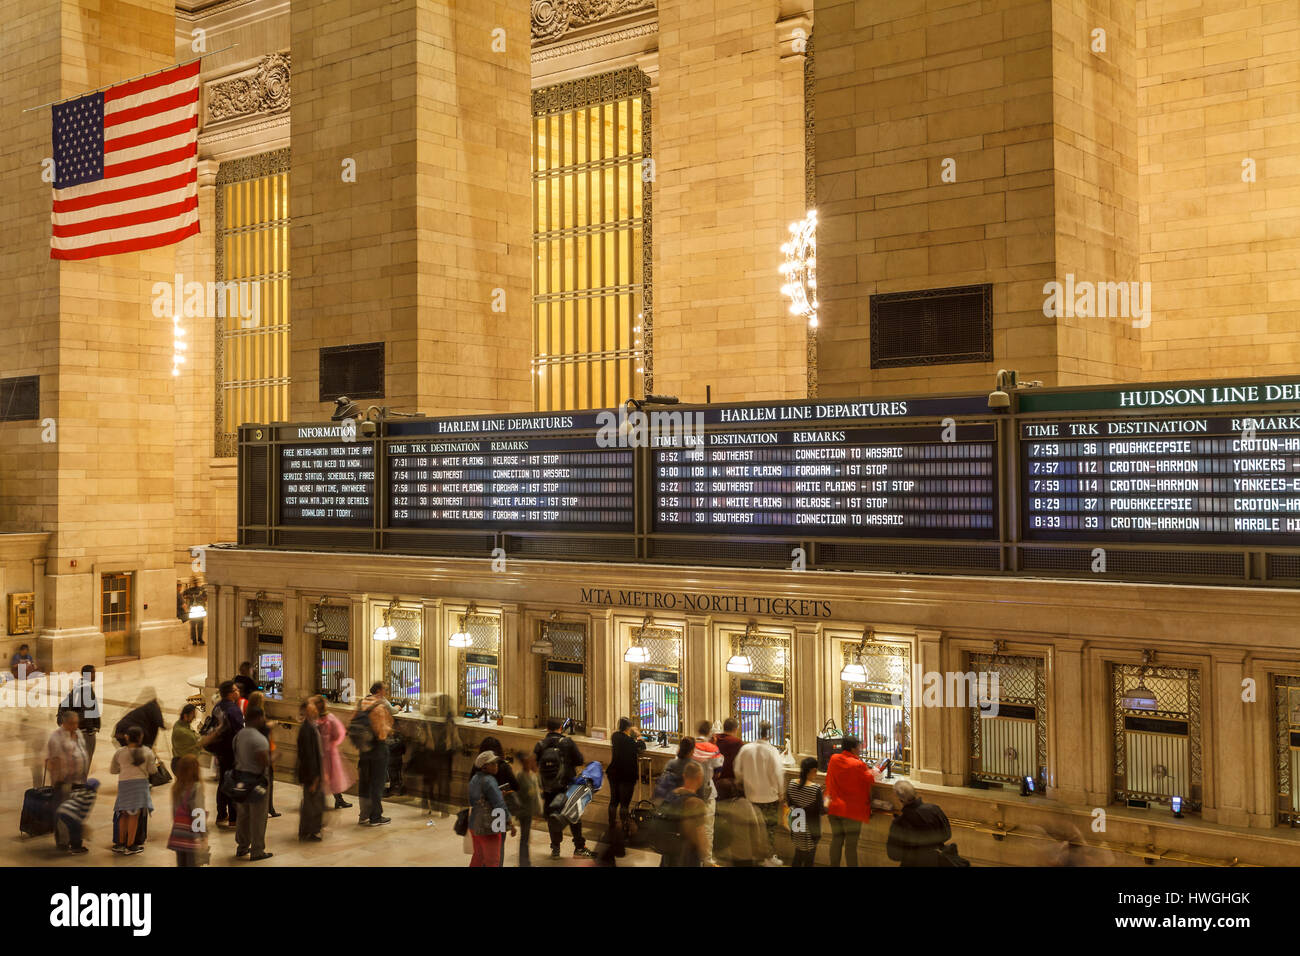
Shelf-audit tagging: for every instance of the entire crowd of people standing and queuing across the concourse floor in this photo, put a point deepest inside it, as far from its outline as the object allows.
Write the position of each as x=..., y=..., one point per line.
x=720, y=802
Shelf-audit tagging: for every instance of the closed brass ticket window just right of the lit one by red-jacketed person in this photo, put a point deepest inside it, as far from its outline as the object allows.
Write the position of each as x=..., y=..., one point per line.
x=1008, y=732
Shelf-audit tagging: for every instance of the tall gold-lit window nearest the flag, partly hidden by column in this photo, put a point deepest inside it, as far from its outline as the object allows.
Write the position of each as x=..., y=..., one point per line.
x=253, y=248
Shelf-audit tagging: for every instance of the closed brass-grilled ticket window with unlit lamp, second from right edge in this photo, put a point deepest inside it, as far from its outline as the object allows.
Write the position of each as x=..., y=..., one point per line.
x=1158, y=736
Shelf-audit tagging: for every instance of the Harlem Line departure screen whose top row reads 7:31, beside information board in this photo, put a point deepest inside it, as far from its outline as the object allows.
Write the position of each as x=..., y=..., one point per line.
x=554, y=485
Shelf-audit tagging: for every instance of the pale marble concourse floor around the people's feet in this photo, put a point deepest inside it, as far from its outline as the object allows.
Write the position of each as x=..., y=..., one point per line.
x=409, y=841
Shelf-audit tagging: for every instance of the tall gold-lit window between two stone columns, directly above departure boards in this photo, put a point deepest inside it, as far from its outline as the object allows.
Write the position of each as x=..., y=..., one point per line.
x=592, y=178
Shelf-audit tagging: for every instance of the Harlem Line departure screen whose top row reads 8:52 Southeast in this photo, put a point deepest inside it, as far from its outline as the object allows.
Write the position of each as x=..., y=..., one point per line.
x=826, y=481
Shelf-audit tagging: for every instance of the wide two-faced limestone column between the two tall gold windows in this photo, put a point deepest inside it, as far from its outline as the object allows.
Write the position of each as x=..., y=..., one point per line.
x=428, y=248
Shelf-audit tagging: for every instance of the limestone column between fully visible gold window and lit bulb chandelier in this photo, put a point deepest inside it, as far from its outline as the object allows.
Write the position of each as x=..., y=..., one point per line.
x=729, y=142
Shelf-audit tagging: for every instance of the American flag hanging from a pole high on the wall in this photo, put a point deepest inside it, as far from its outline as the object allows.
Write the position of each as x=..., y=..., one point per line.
x=127, y=167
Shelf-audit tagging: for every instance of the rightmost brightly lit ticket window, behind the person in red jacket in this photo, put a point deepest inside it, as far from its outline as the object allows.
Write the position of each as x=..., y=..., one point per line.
x=878, y=700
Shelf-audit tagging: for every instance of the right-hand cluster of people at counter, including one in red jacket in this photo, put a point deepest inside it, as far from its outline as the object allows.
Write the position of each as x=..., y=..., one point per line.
x=721, y=802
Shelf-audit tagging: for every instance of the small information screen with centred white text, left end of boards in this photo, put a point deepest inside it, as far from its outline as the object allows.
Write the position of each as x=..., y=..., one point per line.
x=328, y=485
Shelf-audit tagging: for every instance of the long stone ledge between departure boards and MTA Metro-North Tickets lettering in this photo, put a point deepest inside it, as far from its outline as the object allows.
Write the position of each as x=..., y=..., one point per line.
x=1017, y=608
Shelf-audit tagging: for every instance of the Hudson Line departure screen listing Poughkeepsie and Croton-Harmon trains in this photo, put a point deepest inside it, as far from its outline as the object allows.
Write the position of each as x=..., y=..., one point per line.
x=1206, y=479
